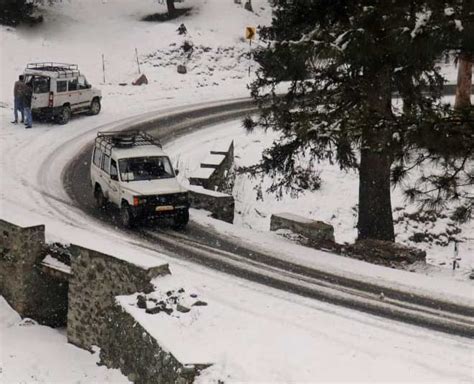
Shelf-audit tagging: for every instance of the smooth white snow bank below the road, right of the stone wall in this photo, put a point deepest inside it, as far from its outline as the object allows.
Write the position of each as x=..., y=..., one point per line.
x=256, y=334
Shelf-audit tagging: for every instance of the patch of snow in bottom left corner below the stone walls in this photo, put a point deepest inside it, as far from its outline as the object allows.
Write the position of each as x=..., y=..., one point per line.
x=32, y=353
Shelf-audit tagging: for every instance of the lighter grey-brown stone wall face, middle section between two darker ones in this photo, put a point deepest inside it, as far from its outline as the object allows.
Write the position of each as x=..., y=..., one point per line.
x=95, y=281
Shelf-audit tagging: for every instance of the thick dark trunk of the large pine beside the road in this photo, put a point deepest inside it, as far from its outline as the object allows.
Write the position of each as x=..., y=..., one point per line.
x=375, y=206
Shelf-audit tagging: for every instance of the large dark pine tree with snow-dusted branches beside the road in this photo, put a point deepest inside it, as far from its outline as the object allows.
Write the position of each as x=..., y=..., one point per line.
x=340, y=63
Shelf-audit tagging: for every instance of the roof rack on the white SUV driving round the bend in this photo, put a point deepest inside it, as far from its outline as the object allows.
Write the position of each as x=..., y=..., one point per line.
x=128, y=139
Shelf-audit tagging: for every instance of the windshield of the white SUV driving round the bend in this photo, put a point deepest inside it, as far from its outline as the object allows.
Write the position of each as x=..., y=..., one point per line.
x=145, y=168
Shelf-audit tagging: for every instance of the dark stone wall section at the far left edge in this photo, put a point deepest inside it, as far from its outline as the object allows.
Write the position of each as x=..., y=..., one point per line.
x=24, y=283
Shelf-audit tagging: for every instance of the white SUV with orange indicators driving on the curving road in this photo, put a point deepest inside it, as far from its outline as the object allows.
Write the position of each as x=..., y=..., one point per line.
x=131, y=171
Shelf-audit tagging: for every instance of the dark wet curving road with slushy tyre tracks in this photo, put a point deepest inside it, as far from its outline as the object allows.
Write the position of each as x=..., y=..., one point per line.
x=200, y=245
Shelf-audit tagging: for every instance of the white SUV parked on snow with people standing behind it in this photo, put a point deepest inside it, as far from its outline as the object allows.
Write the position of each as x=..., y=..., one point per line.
x=59, y=90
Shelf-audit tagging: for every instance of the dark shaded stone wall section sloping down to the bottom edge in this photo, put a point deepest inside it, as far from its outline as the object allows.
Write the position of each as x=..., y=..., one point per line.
x=128, y=346
